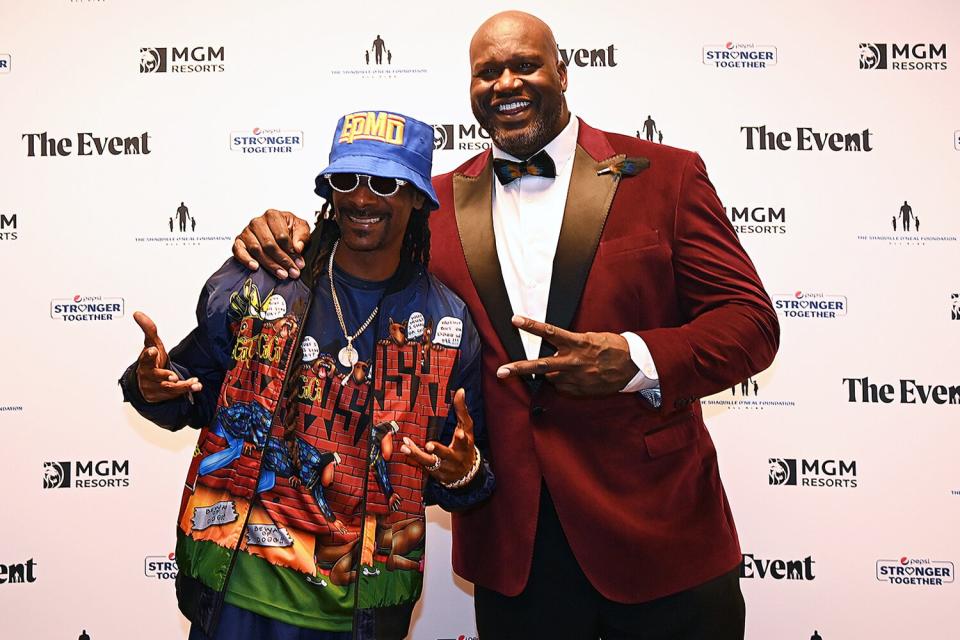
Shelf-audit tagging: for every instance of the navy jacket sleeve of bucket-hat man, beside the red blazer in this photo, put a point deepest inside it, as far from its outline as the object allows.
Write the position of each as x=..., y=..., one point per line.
x=468, y=378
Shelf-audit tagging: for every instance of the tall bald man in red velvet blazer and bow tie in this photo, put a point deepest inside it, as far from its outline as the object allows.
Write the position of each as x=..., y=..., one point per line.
x=609, y=518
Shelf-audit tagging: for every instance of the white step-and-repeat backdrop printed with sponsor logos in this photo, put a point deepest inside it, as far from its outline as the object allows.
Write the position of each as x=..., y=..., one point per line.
x=137, y=138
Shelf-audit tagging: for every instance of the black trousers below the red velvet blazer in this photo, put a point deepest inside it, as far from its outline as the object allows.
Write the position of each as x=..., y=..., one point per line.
x=559, y=602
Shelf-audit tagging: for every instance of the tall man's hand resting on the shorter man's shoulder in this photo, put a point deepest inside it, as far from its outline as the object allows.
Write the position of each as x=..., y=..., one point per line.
x=274, y=241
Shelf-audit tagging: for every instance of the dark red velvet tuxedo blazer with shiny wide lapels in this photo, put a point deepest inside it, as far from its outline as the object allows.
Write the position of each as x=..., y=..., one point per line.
x=637, y=490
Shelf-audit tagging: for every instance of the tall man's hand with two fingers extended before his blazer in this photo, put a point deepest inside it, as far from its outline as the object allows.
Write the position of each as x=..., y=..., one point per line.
x=585, y=364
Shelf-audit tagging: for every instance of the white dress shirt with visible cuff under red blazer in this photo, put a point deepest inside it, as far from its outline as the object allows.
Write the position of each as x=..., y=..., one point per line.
x=527, y=215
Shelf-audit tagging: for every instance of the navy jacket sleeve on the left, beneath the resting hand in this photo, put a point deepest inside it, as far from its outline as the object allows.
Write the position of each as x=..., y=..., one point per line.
x=204, y=354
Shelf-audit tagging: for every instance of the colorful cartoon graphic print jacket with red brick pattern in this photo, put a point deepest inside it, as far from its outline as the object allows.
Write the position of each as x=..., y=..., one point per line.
x=299, y=504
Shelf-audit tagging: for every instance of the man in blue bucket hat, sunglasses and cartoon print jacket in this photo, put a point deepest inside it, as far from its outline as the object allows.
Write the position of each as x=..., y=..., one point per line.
x=330, y=409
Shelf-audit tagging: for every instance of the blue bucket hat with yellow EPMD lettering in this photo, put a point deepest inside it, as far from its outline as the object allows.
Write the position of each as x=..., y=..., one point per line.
x=383, y=144
